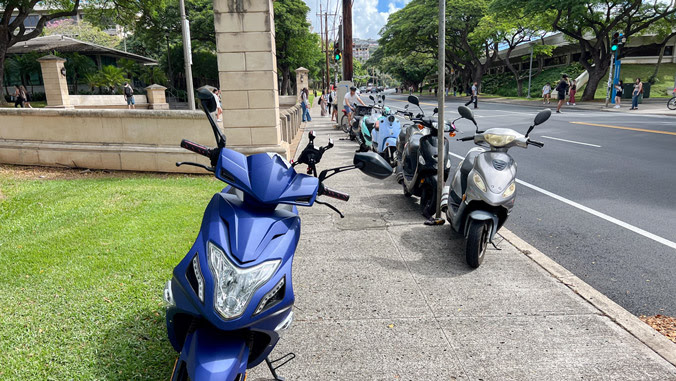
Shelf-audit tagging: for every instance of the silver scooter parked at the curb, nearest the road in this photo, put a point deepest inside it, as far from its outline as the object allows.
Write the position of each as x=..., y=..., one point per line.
x=481, y=193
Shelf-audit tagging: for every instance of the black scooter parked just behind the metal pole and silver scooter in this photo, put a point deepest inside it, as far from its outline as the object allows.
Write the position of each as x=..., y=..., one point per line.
x=417, y=153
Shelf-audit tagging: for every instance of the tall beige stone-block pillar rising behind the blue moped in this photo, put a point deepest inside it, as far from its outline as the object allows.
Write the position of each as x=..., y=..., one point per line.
x=247, y=71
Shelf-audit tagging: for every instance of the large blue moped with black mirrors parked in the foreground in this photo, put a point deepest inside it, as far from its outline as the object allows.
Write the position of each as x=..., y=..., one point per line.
x=232, y=294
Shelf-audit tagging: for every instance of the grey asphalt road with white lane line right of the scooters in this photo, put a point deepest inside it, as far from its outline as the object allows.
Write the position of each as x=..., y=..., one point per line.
x=599, y=200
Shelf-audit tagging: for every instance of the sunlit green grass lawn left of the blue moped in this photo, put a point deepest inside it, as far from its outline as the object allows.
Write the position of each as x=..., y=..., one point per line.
x=84, y=262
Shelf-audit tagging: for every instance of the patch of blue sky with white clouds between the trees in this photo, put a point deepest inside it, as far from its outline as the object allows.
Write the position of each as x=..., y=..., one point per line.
x=368, y=16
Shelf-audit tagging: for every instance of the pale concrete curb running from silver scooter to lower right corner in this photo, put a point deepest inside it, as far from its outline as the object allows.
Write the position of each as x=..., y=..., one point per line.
x=640, y=330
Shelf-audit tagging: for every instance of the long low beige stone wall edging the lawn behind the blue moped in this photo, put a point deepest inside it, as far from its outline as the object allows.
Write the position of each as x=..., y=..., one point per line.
x=135, y=140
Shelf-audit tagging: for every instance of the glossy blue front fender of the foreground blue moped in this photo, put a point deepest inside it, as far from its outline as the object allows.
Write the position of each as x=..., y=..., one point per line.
x=210, y=355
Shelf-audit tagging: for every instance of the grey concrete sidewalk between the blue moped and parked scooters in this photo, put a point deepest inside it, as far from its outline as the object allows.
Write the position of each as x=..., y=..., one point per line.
x=380, y=296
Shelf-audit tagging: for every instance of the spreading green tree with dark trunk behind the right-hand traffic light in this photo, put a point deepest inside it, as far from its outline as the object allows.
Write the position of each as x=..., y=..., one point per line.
x=591, y=23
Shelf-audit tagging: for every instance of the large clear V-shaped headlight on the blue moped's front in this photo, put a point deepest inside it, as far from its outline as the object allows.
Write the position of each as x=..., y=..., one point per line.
x=234, y=286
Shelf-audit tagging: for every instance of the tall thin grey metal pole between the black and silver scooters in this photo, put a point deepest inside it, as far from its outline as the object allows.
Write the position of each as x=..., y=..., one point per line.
x=441, y=167
